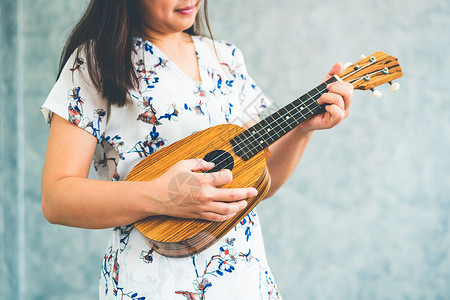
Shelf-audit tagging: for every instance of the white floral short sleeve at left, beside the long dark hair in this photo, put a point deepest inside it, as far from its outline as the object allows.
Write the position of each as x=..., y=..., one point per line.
x=75, y=98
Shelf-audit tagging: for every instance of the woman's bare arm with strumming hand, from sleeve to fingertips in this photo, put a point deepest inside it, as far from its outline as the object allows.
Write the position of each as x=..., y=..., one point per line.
x=70, y=198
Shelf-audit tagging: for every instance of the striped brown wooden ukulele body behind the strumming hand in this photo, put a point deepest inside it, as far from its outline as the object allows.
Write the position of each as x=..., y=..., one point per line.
x=176, y=237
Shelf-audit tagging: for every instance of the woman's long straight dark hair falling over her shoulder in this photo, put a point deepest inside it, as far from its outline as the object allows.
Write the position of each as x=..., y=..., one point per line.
x=105, y=35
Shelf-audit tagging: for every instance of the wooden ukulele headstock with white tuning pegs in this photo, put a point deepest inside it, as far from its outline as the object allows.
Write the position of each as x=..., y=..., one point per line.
x=372, y=71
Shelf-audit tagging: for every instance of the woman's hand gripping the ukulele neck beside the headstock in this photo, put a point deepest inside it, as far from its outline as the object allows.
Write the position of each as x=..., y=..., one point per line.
x=337, y=102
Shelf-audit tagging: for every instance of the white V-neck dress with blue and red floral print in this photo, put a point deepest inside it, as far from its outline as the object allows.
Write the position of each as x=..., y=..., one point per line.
x=167, y=106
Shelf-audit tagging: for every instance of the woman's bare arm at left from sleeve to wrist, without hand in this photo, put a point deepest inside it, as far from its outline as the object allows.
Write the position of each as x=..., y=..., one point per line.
x=70, y=198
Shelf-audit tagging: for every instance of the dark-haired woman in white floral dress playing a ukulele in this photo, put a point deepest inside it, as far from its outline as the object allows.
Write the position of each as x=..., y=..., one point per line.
x=136, y=76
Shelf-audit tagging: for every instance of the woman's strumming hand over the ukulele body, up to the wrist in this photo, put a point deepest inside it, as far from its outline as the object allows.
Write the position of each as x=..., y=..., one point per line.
x=185, y=192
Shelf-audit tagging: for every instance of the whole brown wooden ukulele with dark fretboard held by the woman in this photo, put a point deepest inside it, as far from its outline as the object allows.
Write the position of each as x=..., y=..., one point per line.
x=241, y=151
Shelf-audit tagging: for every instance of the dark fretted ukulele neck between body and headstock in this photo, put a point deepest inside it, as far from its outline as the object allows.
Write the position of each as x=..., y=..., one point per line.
x=267, y=131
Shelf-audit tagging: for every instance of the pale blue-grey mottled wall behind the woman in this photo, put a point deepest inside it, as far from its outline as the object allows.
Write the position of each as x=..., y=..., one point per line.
x=365, y=216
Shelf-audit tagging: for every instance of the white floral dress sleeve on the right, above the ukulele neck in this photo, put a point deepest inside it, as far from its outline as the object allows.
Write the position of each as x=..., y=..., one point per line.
x=252, y=99
